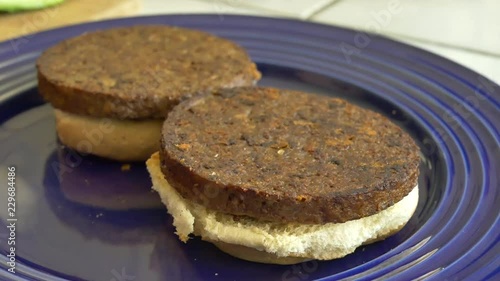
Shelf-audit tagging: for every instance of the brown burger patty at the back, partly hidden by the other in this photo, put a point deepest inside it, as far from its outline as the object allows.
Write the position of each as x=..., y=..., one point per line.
x=140, y=71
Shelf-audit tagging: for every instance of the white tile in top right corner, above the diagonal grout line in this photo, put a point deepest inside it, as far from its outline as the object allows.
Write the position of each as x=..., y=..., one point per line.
x=467, y=24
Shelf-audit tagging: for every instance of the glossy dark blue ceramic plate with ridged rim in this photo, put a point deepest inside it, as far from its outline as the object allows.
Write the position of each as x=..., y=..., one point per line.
x=84, y=218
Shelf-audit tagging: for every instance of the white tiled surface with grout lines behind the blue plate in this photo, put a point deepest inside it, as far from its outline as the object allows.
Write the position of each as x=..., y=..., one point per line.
x=465, y=31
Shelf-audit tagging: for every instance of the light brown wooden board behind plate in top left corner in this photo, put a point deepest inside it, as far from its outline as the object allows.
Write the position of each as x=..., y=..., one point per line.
x=69, y=12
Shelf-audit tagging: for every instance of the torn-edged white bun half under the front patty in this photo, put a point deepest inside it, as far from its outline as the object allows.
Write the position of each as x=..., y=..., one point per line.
x=271, y=242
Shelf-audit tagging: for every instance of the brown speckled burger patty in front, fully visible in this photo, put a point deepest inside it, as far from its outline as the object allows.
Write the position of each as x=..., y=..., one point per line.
x=286, y=156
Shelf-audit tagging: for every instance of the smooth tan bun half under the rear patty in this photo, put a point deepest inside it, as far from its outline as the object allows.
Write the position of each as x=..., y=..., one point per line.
x=122, y=140
